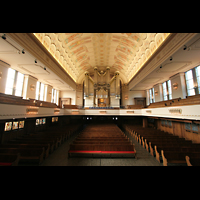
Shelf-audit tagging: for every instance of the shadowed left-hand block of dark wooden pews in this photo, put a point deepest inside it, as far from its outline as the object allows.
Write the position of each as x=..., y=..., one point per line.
x=34, y=148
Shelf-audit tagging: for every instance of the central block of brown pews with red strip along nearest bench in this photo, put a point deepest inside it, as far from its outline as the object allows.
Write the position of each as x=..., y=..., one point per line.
x=102, y=140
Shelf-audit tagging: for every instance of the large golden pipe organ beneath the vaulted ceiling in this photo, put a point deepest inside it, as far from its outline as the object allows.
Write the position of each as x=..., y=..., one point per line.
x=99, y=87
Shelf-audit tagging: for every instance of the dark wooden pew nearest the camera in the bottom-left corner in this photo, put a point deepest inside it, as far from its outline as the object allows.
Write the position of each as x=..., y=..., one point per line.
x=7, y=159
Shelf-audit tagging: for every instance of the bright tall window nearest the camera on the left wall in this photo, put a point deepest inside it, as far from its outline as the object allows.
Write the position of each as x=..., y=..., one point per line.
x=14, y=83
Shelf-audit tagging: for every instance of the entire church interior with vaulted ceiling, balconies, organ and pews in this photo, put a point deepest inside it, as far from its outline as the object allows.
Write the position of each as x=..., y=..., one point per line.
x=100, y=97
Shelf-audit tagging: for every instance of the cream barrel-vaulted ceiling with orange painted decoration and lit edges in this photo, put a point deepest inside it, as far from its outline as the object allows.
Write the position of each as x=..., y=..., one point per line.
x=80, y=52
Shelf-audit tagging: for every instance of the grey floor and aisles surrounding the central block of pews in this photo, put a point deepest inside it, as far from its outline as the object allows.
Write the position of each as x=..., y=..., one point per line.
x=60, y=158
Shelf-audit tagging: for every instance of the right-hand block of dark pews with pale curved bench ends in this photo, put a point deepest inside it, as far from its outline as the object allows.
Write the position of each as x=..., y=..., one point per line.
x=167, y=148
